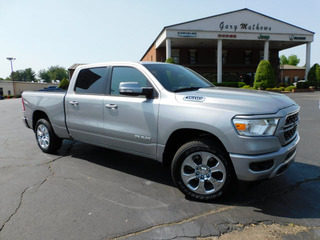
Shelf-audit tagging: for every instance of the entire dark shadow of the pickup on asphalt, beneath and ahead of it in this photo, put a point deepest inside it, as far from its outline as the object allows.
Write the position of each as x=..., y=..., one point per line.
x=295, y=194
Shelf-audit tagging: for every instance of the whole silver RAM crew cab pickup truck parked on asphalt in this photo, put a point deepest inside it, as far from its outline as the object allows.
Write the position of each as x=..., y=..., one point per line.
x=210, y=136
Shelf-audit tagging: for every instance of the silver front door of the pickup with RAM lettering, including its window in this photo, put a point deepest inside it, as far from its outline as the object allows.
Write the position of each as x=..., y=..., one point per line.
x=130, y=121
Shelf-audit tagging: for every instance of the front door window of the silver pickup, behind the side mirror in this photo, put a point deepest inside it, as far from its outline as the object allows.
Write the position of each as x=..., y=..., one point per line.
x=126, y=74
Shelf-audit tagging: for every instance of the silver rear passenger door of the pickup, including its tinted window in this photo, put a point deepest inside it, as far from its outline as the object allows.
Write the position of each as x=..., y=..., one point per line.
x=85, y=106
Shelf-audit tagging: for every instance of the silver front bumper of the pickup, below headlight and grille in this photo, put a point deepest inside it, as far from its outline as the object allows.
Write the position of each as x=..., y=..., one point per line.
x=263, y=166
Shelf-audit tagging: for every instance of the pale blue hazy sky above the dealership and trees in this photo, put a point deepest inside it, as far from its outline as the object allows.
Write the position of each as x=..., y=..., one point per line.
x=45, y=33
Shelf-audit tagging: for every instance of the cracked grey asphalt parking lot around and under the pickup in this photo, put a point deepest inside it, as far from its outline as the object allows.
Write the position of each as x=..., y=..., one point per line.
x=87, y=192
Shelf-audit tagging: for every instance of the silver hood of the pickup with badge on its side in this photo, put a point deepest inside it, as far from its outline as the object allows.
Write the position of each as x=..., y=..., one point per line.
x=242, y=101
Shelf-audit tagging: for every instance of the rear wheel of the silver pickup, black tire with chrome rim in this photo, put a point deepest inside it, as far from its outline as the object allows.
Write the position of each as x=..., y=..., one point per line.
x=46, y=138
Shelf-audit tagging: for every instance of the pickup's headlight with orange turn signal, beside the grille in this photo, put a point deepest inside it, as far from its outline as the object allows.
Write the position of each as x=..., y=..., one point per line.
x=256, y=127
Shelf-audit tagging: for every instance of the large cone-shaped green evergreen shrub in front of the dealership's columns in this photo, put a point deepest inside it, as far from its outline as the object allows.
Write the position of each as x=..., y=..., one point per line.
x=265, y=76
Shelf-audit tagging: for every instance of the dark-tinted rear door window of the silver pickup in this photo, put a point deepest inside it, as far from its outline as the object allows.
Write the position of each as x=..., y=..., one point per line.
x=91, y=81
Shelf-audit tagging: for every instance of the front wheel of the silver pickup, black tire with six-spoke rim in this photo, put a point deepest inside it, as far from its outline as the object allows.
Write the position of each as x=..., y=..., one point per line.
x=202, y=170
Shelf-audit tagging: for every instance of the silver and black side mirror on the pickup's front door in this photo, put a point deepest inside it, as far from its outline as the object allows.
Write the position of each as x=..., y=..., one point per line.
x=134, y=89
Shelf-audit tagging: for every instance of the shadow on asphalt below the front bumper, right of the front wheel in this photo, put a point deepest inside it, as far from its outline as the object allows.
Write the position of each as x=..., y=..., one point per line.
x=295, y=194
